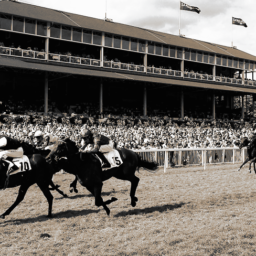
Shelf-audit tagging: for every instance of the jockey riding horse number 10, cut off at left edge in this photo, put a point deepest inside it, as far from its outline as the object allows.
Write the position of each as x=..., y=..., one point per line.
x=9, y=149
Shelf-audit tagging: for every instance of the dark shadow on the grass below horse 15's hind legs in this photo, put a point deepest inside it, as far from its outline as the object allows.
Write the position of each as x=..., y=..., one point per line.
x=161, y=208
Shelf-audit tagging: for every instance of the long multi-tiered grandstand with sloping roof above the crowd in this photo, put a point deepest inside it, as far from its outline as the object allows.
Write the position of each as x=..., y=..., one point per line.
x=48, y=55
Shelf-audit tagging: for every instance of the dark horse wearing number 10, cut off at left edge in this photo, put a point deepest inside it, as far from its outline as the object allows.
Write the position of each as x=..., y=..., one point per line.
x=41, y=174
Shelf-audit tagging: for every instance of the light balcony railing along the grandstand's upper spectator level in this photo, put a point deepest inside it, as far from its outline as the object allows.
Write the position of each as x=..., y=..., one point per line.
x=118, y=65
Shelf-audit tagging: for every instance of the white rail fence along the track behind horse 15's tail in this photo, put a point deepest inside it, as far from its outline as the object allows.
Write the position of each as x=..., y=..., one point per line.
x=193, y=156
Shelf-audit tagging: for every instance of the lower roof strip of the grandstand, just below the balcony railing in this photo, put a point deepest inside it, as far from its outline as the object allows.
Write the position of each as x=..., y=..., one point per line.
x=19, y=63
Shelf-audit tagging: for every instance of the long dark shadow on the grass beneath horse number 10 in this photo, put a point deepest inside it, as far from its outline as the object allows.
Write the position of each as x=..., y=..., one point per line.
x=65, y=214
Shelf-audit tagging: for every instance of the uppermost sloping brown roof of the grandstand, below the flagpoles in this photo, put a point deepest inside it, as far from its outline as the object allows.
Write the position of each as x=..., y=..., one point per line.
x=75, y=20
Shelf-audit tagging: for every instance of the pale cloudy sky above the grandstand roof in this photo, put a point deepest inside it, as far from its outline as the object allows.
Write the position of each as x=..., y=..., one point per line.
x=213, y=24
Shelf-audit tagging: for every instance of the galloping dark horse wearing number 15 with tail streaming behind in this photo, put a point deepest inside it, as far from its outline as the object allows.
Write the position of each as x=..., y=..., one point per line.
x=87, y=168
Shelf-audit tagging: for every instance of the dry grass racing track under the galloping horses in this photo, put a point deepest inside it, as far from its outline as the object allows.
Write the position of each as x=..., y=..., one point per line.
x=186, y=211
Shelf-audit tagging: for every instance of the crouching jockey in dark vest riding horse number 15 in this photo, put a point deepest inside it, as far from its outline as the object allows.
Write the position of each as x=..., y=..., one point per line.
x=101, y=145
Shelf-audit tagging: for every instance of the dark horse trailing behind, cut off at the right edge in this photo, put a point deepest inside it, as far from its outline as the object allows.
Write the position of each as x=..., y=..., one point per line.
x=251, y=150
